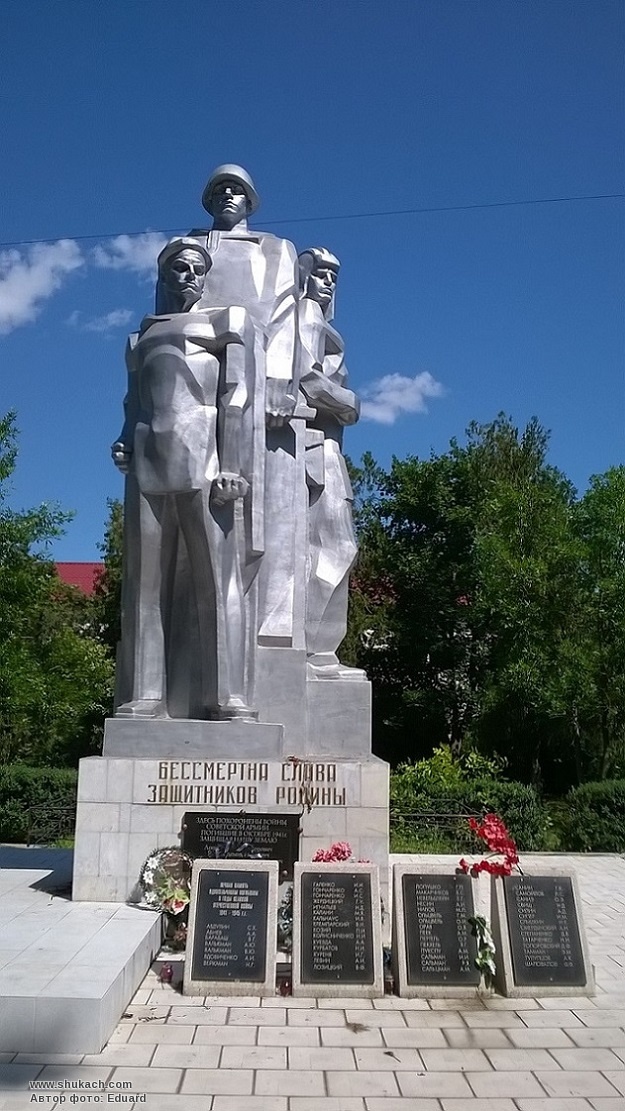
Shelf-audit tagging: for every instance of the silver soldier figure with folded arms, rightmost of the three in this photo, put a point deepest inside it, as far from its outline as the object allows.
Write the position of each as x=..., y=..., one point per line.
x=332, y=547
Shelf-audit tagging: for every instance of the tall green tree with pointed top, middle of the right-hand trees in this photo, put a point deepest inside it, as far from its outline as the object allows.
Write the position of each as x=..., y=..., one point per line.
x=528, y=569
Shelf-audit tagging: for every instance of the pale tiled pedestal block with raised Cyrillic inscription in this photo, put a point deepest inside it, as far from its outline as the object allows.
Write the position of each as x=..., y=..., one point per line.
x=127, y=807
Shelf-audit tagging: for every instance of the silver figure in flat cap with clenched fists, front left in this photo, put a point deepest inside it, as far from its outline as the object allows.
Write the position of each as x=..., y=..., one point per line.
x=189, y=448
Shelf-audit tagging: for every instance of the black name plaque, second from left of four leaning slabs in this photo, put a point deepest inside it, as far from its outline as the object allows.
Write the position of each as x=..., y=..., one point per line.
x=337, y=928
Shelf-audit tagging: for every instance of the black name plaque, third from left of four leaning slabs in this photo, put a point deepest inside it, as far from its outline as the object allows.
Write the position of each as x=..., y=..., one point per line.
x=440, y=948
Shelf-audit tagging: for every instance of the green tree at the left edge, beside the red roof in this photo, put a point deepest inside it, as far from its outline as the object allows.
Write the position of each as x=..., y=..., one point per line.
x=56, y=679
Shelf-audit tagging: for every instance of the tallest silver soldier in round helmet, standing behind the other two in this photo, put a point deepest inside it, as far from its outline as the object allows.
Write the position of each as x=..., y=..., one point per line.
x=259, y=272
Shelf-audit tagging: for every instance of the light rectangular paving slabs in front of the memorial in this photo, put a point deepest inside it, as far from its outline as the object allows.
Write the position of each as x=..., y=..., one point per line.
x=175, y=1054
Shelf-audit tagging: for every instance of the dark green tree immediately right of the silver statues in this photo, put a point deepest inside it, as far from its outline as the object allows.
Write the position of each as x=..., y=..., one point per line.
x=416, y=546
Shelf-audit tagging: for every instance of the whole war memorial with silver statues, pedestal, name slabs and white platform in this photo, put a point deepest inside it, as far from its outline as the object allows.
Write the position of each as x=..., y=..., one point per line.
x=236, y=720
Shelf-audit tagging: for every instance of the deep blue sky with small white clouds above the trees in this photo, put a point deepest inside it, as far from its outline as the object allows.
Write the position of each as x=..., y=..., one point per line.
x=115, y=115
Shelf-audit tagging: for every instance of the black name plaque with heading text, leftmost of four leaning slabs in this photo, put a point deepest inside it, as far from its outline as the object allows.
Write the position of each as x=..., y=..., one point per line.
x=230, y=927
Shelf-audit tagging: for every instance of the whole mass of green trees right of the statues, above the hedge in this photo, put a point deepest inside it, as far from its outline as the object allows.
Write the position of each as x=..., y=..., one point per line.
x=500, y=607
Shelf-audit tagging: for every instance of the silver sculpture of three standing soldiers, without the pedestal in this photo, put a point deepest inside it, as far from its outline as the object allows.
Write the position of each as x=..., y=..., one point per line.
x=237, y=399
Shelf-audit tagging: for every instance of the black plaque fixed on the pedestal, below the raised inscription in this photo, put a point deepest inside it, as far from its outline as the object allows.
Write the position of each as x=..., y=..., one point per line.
x=271, y=837
